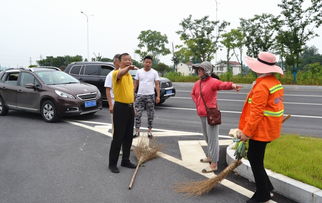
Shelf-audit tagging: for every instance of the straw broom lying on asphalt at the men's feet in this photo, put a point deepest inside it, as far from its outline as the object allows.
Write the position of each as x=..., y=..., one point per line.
x=144, y=152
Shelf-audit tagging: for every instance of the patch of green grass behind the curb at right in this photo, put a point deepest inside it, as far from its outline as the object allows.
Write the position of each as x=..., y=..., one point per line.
x=297, y=157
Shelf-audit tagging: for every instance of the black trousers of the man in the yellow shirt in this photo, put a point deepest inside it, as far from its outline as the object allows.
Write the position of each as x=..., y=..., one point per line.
x=123, y=121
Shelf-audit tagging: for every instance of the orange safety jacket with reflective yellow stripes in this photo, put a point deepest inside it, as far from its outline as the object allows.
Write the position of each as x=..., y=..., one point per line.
x=263, y=111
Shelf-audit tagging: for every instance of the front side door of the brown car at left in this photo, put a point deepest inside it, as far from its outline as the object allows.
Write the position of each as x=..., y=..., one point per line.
x=28, y=98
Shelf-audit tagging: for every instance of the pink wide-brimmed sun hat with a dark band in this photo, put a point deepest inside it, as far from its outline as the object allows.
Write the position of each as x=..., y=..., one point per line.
x=264, y=63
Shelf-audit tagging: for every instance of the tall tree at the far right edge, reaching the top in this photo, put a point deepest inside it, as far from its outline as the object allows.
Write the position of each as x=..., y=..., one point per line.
x=299, y=21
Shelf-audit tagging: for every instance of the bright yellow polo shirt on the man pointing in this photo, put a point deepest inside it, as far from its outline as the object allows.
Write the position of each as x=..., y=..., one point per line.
x=123, y=88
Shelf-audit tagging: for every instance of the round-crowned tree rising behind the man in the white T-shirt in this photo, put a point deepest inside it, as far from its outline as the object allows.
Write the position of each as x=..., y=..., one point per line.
x=152, y=43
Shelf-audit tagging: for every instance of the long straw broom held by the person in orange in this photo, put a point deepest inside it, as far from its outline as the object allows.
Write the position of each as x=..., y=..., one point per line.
x=199, y=188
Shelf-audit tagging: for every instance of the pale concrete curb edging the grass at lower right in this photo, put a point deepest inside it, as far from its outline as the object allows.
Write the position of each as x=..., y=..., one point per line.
x=283, y=185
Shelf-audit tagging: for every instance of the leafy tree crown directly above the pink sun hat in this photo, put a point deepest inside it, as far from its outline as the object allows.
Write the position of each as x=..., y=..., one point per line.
x=260, y=33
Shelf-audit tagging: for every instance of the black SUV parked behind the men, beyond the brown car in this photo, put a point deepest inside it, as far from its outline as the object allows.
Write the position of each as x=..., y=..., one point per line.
x=96, y=72
